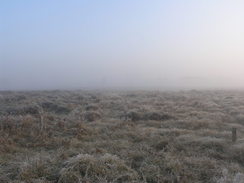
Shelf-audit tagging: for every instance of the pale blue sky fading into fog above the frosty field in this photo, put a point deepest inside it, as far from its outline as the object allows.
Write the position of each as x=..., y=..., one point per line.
x=126, y=44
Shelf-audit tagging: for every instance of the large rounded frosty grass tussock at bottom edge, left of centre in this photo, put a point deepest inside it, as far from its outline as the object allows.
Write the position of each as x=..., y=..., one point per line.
x=107, y=168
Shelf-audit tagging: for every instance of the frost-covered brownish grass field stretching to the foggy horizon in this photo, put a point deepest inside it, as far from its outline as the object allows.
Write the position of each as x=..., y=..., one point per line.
x=106, y=137
